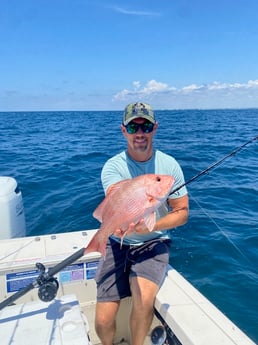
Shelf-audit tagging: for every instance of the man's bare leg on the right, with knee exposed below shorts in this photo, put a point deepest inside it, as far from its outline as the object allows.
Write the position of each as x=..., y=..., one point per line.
x=143, y=296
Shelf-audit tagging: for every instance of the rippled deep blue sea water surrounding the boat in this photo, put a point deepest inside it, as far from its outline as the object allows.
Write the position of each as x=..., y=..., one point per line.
x=56, y=157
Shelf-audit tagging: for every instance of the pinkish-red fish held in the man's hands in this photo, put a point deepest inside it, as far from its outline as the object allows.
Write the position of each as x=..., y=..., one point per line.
x=129, y=201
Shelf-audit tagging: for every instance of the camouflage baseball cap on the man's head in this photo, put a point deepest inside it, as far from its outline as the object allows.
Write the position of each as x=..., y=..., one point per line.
x=139, y=109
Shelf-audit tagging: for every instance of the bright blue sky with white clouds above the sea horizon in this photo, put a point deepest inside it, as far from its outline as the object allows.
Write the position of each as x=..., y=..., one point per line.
x=103, y=54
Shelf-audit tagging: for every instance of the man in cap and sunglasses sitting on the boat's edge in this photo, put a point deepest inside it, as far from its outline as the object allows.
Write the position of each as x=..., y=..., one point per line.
x=138, y=267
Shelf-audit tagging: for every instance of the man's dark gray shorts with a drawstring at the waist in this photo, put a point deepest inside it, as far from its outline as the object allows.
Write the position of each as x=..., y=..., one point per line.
x=122, y=262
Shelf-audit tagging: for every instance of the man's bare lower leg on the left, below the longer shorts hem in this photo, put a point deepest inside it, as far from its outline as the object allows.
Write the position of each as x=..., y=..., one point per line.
x=105, y=323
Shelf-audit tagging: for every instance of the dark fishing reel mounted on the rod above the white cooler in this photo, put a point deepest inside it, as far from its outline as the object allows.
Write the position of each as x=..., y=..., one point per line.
x=47, y=285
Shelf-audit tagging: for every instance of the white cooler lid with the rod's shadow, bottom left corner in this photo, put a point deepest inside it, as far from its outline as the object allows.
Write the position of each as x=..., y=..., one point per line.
x=59, y=322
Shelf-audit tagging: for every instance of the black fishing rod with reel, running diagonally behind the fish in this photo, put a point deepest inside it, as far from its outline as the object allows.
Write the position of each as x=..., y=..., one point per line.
x=48, y=285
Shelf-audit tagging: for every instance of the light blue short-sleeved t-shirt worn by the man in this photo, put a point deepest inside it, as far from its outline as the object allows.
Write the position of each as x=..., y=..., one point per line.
x=122, y=166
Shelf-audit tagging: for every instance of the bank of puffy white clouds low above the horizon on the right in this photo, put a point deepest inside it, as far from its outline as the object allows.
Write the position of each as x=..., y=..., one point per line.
x=215, y=94
